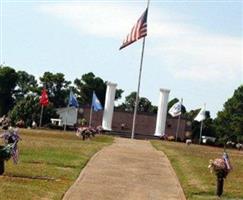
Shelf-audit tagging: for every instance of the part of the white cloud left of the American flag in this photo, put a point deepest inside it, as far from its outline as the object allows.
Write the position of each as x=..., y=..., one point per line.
x=98, y=19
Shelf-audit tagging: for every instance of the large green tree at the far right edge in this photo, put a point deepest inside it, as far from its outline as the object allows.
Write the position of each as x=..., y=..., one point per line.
x=229, y=121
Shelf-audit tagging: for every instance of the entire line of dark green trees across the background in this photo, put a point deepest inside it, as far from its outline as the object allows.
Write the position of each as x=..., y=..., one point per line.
x=20, y=91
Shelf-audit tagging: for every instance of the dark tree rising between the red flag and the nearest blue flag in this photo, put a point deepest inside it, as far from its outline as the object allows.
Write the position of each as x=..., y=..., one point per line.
x=57, y=88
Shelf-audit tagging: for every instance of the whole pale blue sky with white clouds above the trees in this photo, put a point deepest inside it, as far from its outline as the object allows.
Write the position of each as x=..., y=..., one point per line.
x=193, y=48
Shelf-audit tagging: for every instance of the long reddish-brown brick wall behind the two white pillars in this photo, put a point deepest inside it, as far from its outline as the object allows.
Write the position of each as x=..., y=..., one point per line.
x=145, y=123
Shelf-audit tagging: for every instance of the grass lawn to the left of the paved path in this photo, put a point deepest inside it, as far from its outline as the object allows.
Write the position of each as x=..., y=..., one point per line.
x=50, y=162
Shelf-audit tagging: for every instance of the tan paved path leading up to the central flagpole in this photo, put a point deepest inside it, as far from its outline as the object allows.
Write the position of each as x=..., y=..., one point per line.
x=127, y=170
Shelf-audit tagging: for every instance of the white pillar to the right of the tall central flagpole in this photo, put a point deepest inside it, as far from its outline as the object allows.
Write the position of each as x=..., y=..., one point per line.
x=162, y=112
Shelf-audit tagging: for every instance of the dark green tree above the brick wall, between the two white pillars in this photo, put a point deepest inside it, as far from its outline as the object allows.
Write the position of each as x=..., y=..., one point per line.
x=144, y=104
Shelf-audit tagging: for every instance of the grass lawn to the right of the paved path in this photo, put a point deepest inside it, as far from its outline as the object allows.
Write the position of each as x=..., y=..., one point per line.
x=191, y=166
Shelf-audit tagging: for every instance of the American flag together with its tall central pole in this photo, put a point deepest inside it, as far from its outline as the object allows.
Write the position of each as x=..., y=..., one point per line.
x=138, y=31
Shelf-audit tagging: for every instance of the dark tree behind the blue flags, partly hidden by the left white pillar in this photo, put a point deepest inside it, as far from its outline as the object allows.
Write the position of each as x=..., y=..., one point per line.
x=89, y=83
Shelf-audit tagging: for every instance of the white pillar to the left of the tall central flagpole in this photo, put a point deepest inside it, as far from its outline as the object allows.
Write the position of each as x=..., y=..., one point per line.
x=109, y=106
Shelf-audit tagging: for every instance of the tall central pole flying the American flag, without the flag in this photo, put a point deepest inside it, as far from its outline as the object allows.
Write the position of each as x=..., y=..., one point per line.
x=138, y=89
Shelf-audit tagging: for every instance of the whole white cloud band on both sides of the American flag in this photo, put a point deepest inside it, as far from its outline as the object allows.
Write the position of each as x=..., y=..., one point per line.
x=190, y=52
